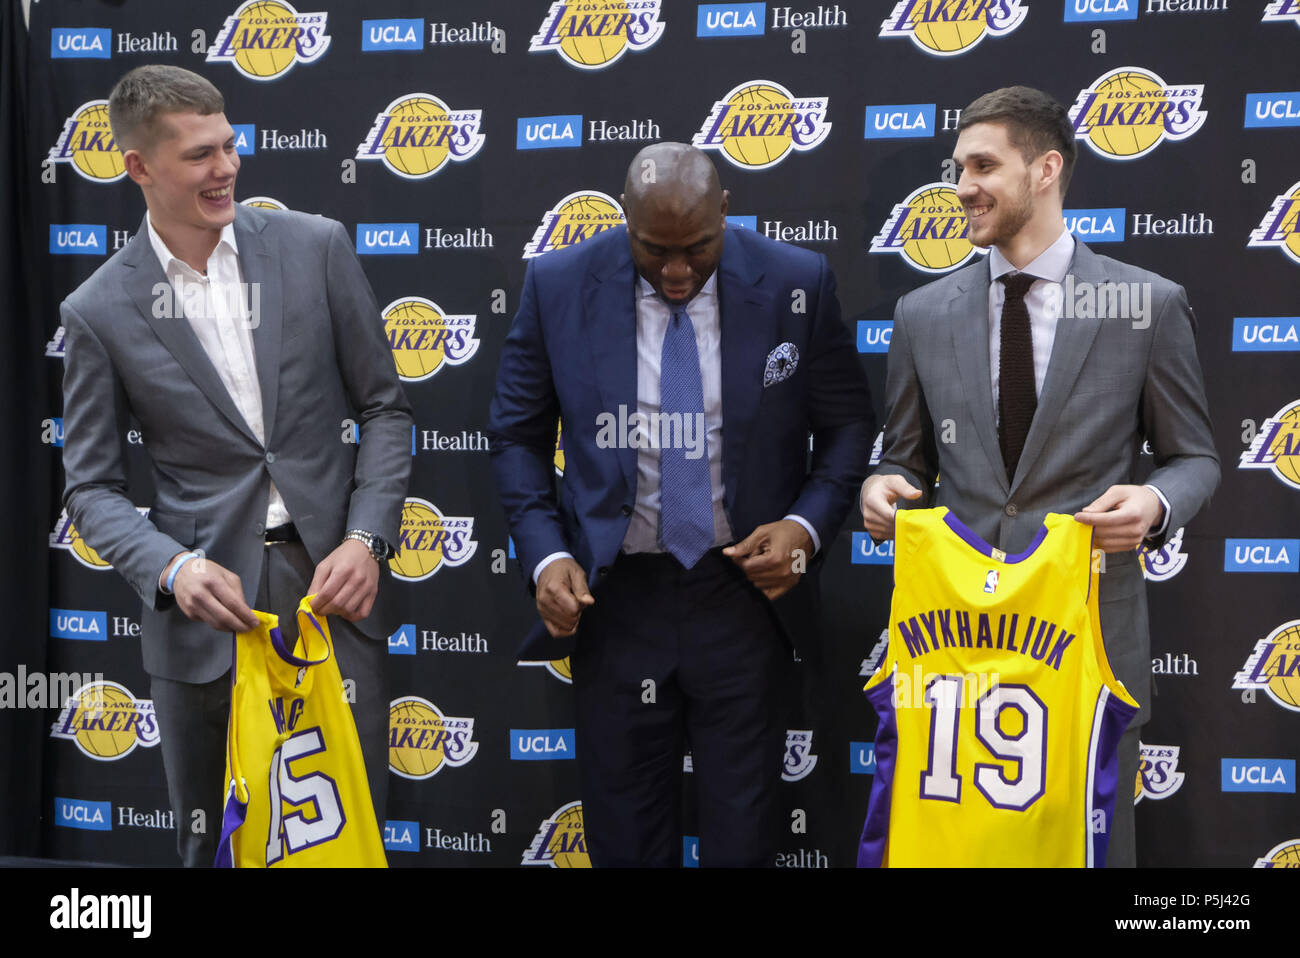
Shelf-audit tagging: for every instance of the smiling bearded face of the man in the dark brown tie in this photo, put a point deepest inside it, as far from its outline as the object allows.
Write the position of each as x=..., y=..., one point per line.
x=996, y=187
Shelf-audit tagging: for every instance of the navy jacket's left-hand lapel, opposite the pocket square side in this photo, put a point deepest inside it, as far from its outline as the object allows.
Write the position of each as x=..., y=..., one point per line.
x=610, y=323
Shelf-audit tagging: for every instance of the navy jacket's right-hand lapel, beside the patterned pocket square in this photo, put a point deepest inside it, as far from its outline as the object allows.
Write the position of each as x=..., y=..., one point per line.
x=749, y=331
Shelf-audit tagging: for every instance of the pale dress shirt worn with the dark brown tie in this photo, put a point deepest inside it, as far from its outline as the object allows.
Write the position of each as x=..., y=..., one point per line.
x=1043, y=302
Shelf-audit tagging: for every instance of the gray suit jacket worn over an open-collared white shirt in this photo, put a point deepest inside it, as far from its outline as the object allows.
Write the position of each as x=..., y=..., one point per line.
x=322, y=358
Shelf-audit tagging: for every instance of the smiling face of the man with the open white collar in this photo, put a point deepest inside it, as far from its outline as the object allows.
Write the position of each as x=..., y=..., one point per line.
x=189, y=176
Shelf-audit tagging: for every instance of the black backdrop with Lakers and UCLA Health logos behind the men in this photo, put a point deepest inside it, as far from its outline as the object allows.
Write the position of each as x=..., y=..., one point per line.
x=1201, y=200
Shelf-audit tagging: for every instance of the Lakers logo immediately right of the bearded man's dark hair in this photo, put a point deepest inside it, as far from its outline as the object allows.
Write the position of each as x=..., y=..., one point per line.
x=1129, y=112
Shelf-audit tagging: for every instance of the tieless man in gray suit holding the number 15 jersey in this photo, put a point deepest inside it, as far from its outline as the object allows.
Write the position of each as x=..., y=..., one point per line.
x=246, y=344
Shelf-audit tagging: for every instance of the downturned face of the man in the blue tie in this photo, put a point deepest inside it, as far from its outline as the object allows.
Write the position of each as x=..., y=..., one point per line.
x=677, y=242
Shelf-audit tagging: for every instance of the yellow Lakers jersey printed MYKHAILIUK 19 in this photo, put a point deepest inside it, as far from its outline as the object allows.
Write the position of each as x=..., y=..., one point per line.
x=999, y=713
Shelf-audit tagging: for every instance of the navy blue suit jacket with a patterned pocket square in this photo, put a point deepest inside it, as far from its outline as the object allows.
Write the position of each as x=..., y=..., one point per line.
x=573, y=356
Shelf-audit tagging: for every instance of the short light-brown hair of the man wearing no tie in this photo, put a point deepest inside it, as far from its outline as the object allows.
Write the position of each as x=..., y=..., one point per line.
x=144, y=96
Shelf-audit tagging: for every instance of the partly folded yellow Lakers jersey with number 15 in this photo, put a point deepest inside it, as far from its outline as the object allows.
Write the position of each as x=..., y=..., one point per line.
x=298, y=795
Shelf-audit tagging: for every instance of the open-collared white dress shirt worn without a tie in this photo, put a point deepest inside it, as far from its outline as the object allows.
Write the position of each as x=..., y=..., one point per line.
x=216, y=307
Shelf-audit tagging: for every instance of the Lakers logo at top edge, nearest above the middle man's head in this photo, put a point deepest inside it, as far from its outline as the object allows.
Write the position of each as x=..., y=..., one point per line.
x=593, y=34
